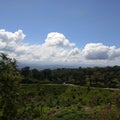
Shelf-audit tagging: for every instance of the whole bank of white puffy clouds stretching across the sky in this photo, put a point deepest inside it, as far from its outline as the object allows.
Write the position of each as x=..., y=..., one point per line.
x=56, y=49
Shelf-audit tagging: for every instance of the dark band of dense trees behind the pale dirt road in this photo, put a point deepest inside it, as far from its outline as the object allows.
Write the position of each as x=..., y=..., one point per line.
x=95, y=77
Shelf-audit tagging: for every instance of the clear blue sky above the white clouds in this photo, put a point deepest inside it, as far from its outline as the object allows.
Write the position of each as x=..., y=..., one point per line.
x=80, y=21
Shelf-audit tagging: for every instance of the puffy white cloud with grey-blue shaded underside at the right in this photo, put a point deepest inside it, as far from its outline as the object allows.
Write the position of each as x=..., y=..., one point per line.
x=98, y=51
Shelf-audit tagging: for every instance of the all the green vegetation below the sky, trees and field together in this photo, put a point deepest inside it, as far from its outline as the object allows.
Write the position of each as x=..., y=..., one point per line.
x=27, y=95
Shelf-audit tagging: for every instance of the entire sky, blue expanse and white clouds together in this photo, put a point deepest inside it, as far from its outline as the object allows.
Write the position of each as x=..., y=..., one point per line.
x=66, y=32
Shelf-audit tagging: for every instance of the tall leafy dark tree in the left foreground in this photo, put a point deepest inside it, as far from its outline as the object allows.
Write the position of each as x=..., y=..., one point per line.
x=9, y=87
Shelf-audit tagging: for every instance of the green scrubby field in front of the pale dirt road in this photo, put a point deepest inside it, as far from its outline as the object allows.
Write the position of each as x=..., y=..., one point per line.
x=64, y=102
